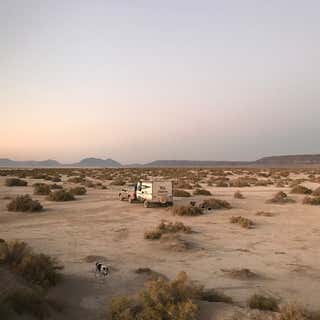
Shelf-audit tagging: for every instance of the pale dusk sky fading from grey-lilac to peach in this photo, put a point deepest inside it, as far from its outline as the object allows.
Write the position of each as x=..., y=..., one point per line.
x=143, y=80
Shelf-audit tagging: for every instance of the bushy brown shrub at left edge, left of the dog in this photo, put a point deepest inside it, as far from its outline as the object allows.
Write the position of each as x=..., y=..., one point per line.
x=37, y=269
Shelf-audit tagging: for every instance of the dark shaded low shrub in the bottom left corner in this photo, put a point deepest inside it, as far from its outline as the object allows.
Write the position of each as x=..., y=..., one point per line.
x=30, y=302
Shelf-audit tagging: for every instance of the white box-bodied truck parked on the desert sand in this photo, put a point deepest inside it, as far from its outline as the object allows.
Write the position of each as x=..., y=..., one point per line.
x=150, y=193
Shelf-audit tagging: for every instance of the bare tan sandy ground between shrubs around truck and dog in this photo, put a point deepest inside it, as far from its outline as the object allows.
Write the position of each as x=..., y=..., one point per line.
x=283, y=249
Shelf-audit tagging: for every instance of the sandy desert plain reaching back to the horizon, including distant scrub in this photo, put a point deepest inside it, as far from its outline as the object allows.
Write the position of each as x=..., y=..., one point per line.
x=281, y=250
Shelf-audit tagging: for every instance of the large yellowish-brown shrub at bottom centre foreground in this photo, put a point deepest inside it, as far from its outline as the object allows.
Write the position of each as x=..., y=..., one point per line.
x=165, y=300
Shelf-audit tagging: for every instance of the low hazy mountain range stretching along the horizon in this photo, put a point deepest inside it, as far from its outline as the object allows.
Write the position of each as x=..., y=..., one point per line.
x=273, y=161
